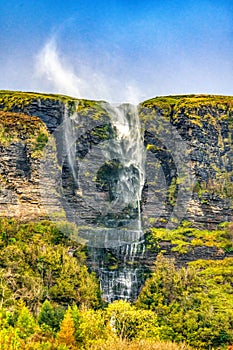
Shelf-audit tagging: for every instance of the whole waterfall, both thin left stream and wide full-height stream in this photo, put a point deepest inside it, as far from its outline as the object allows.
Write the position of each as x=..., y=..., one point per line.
x=126, y=149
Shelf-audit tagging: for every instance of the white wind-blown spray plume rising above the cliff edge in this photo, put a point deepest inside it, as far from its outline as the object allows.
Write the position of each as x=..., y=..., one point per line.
x=58, y=74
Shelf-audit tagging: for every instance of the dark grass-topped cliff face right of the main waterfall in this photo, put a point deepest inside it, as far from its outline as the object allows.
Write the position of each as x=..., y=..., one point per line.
x=205, y=125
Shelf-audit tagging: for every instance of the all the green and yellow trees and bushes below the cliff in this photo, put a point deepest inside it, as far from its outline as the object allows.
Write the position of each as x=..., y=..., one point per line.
x=49, y=300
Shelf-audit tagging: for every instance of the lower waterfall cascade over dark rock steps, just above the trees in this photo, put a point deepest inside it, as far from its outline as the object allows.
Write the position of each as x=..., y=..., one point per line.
x=125, y=280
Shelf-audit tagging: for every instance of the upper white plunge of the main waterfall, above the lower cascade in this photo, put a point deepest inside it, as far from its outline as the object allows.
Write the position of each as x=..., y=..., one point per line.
x=128, y=148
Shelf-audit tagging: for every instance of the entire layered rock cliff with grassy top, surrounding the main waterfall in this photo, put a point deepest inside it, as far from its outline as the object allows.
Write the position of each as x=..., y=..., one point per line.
x=51, y=166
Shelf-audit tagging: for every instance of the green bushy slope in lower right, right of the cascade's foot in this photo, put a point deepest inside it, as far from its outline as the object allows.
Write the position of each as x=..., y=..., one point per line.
x=190, y=304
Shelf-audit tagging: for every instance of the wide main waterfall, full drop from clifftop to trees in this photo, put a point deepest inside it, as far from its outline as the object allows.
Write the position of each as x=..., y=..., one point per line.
x=127, y=147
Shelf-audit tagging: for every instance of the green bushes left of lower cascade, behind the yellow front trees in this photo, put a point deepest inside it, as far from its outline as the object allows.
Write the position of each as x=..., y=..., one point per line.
x=35, y=265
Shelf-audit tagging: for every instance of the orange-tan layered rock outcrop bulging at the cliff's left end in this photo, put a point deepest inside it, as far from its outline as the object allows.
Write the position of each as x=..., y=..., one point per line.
x=21, y=142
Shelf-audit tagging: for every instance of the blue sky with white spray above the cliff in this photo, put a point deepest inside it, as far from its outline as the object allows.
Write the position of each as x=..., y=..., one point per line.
x=117, y=50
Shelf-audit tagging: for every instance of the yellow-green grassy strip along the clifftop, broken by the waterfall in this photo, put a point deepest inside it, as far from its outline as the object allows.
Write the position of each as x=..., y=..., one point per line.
x=198, y=108
